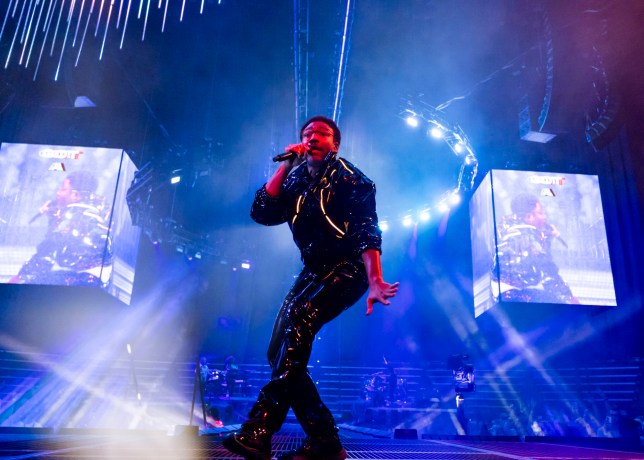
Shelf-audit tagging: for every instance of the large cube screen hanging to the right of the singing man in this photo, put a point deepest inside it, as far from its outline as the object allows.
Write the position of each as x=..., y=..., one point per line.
x=539, y=237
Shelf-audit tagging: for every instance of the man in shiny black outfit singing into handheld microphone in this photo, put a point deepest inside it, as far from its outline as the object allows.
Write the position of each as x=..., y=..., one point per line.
x=330, y=208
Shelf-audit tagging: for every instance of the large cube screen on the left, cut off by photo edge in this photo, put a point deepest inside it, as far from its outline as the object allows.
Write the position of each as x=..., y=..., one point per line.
x=64, y=219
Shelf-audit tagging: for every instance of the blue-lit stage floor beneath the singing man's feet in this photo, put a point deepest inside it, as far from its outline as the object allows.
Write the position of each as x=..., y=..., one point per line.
x=102, y=445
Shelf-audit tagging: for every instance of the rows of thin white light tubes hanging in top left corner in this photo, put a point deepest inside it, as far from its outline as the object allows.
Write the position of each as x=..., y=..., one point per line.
x=31, y=28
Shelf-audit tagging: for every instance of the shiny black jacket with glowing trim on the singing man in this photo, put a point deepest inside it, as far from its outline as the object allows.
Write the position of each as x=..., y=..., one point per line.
x=333, y=217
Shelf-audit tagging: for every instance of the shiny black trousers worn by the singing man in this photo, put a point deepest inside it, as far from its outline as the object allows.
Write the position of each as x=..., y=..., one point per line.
x=312, y=302
